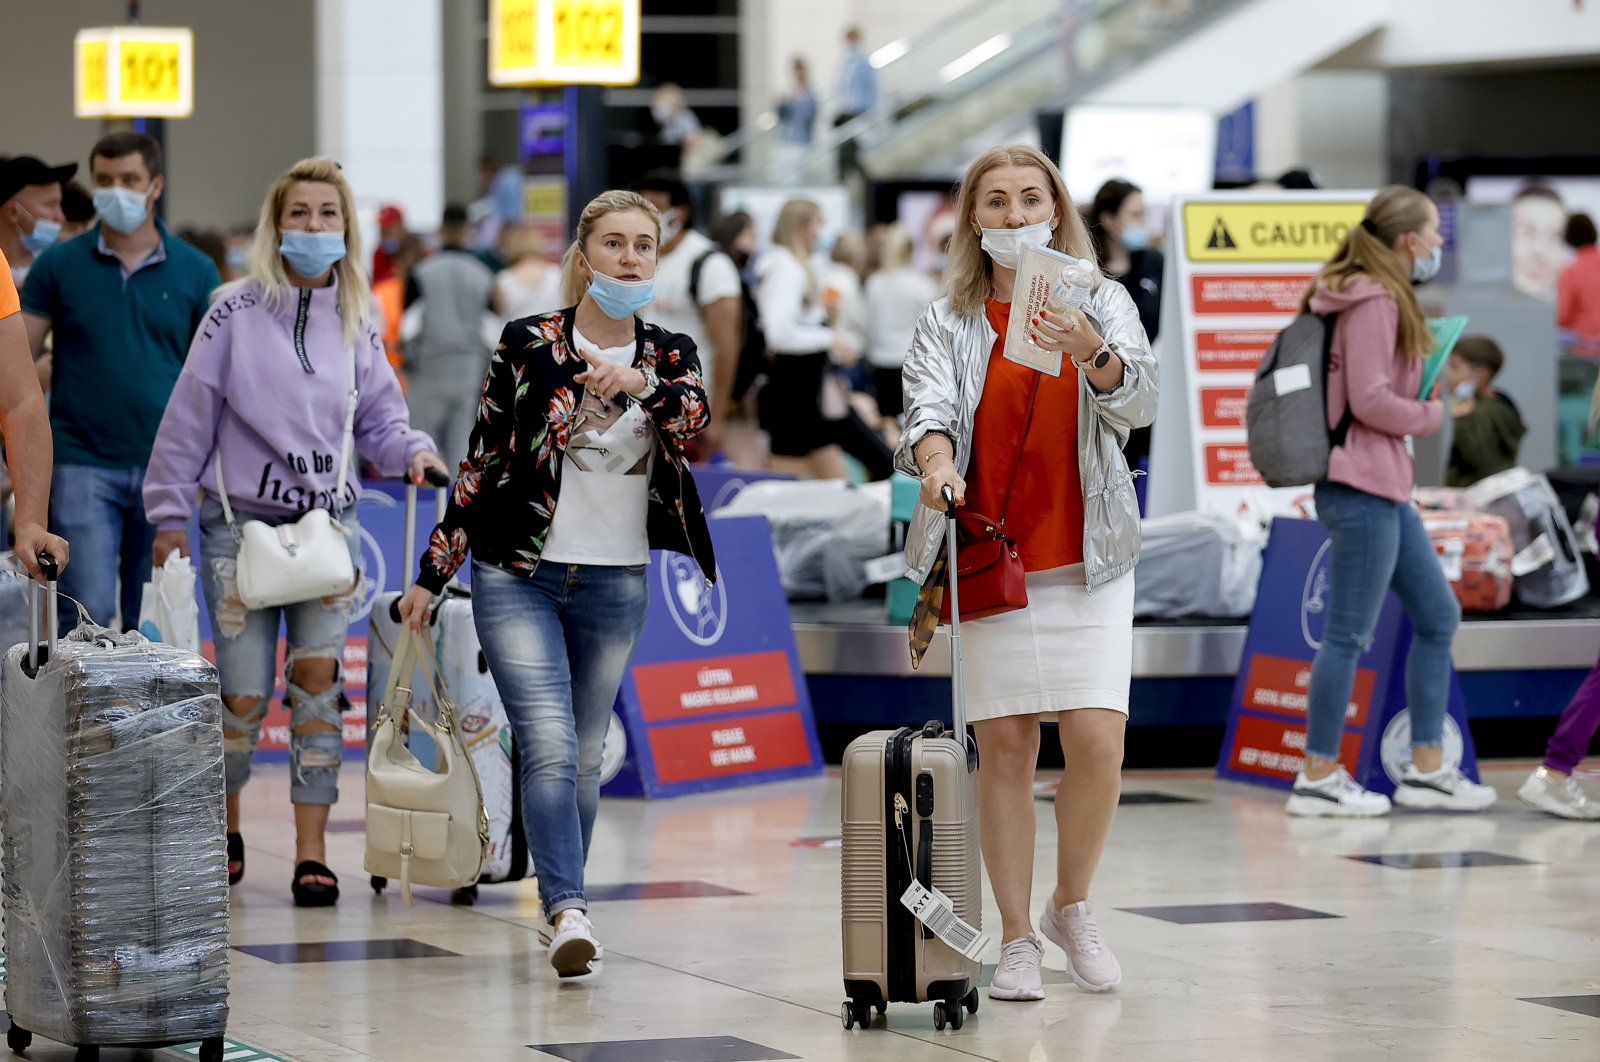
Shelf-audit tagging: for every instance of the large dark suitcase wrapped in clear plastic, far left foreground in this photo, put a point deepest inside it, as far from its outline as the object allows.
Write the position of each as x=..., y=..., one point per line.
x=116, y=863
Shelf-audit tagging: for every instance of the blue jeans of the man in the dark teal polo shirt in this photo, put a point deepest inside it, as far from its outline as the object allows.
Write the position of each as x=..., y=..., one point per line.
x=102, y=514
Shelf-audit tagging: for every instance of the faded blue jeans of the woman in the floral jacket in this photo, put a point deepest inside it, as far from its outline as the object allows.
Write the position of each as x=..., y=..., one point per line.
x=558, y=647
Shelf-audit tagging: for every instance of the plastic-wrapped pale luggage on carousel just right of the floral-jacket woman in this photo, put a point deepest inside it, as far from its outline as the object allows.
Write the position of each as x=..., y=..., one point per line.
x=823, y=533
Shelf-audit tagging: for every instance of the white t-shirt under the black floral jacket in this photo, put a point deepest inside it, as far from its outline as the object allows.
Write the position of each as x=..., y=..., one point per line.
x=604, y=498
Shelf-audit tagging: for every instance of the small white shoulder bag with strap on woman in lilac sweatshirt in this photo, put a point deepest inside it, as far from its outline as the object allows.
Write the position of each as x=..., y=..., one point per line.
x=303, y=561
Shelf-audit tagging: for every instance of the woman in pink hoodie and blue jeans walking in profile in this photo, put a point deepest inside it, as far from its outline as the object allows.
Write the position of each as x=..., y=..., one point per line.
x=1375, y=373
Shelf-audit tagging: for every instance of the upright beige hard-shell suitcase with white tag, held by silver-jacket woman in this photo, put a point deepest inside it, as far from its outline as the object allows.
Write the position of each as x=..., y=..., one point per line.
x=910, y=813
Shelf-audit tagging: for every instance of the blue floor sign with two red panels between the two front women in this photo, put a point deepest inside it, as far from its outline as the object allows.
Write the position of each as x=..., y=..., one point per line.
x=714, y=697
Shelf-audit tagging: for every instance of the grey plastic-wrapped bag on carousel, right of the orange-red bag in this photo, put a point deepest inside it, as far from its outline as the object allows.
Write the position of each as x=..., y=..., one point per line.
x=1548, y=567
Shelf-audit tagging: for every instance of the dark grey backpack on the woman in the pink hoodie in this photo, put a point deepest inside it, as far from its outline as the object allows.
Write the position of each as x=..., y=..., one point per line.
x=1289, y=404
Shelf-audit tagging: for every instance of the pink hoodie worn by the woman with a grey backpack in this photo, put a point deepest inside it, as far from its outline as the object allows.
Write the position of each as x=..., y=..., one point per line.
x=1380, y=381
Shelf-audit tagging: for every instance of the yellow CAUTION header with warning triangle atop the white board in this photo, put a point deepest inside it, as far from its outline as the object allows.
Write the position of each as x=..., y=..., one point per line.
x=1268, y=233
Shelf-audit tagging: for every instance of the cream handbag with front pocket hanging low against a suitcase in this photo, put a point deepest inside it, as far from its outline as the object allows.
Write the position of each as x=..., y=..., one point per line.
x=423, y=826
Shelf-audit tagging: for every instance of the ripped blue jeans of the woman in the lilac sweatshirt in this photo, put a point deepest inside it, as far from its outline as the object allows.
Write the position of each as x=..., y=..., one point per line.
x=247, y=650
